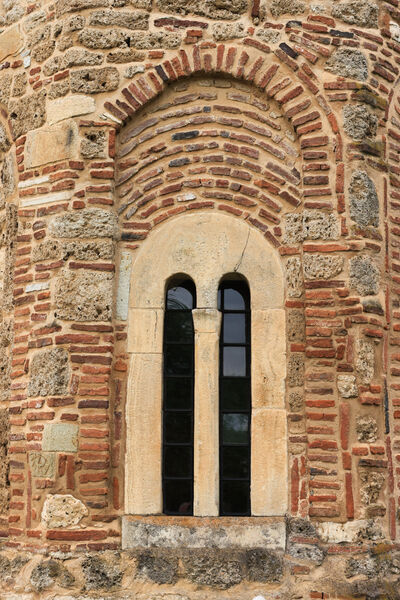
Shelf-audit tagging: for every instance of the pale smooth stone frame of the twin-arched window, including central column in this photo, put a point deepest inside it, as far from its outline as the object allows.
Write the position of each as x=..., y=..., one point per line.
x=205, y=247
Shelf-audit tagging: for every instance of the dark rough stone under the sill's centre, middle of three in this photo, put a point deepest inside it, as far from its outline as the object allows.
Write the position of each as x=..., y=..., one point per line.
x=212, y=569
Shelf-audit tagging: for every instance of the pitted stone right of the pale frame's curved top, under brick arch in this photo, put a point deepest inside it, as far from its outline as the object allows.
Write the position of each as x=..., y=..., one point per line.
x=310, y=224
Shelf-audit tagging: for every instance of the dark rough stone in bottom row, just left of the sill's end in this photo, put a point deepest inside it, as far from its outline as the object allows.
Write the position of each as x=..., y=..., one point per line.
x=101, y=573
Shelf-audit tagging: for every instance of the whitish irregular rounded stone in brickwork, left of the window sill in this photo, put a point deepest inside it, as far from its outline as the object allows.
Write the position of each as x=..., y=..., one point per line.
x=62, y=510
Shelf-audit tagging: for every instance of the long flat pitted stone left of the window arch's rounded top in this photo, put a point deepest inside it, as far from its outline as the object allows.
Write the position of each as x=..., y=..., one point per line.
x=86, y=223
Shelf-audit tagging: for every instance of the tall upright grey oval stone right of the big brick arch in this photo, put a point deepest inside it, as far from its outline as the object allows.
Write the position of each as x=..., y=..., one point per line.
x=364, y=204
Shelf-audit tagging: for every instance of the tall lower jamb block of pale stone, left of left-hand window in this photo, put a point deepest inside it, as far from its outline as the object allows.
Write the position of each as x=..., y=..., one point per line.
x=143, y=494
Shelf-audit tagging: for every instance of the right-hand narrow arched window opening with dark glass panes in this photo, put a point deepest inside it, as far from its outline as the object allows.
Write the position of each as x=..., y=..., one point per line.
x=234, y=397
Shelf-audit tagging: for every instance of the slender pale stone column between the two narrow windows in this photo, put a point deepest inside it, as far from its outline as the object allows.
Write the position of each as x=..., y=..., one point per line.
x=207, y=324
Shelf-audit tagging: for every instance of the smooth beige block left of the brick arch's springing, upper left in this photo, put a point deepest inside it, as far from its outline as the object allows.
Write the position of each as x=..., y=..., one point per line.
x=47, y=145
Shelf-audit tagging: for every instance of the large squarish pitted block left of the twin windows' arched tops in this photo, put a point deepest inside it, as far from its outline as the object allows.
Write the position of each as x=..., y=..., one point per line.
x=84, y=296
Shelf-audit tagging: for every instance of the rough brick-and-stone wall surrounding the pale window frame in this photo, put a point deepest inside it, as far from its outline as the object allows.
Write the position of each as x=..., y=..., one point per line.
x=116, y=115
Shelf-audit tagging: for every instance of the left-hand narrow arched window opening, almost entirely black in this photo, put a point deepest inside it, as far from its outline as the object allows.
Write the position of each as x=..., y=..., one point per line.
x=178, y=390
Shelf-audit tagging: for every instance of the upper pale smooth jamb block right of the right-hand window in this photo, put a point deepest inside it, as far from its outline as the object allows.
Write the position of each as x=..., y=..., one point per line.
x=268, y=365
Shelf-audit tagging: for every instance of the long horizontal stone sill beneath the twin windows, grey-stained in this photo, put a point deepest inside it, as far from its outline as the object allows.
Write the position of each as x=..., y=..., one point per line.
x=161, y=531
